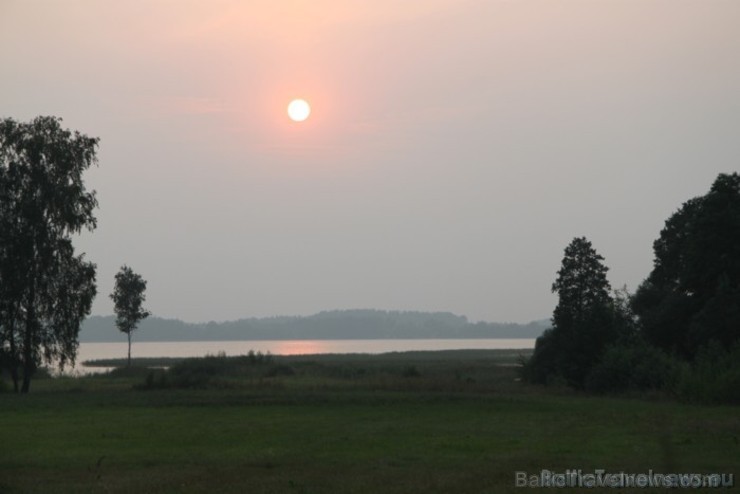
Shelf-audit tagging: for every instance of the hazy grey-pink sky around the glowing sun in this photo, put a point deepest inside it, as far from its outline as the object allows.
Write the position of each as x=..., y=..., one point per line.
x=453, y=150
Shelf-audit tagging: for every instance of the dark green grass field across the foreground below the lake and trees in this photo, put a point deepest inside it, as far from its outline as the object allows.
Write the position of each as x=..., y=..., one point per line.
x=436, y=422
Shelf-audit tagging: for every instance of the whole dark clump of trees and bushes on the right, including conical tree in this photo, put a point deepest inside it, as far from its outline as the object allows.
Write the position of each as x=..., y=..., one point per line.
x=679, y=332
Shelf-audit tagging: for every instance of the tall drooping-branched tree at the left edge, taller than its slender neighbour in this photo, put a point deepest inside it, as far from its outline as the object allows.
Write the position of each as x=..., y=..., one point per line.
x=45, y=289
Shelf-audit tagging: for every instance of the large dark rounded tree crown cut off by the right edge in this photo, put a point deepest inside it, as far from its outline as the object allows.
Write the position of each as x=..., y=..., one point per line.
x=692, y=295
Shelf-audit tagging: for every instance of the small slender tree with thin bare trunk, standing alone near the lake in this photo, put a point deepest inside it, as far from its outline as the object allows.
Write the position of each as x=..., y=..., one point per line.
x=128, y=297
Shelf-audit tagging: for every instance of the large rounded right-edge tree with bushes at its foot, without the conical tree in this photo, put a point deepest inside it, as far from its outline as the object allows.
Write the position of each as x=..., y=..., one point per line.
x=688, y=307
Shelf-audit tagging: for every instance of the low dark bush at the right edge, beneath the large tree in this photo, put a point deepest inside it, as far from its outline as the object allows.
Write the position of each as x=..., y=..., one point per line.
x=714, y=376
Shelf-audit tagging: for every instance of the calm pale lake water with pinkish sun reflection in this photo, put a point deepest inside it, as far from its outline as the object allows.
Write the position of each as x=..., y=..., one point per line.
x=94, y=351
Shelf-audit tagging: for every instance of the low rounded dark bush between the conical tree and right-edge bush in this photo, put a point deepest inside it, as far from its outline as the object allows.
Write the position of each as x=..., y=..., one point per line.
x=634, y=366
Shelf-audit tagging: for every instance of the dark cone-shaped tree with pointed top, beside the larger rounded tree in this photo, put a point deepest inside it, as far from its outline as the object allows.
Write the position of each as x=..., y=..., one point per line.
x=584, y=322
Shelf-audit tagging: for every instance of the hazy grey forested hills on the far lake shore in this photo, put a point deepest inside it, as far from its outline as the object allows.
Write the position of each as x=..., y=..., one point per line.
x=331, y=325
